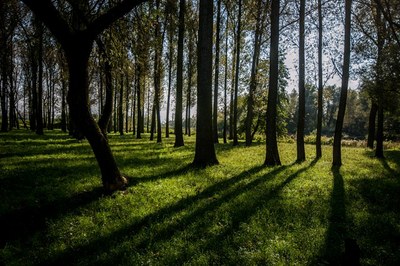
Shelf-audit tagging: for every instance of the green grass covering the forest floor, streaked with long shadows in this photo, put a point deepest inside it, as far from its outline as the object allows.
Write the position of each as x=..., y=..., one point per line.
x=54, y=212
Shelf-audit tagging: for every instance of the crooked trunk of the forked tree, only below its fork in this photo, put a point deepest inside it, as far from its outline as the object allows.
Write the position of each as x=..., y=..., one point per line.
x=78, y=100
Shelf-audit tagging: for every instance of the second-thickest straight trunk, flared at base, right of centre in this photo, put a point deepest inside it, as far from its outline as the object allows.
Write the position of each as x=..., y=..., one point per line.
x=272, y=155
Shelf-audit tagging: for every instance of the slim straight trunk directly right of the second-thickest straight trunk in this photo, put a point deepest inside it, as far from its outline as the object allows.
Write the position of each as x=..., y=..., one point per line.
x=301, y=156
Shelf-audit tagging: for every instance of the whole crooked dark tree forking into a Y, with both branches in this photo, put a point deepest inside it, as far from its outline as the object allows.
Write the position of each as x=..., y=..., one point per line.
x=77, y=41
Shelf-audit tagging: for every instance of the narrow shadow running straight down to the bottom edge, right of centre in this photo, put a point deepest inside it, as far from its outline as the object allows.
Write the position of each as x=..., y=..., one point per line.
x=336, y=233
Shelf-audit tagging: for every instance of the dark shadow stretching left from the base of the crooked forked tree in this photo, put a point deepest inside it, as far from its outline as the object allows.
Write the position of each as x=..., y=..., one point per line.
x=23, y=223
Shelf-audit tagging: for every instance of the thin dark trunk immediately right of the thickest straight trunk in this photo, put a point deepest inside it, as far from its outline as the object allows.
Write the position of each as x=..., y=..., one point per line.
x=216, y=75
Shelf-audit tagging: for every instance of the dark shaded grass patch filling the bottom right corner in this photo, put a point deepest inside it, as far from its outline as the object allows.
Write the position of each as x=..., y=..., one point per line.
x=379, y=222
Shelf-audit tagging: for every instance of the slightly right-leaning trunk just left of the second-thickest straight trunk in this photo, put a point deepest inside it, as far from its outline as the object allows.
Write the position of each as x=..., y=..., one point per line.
x=253, y=77
